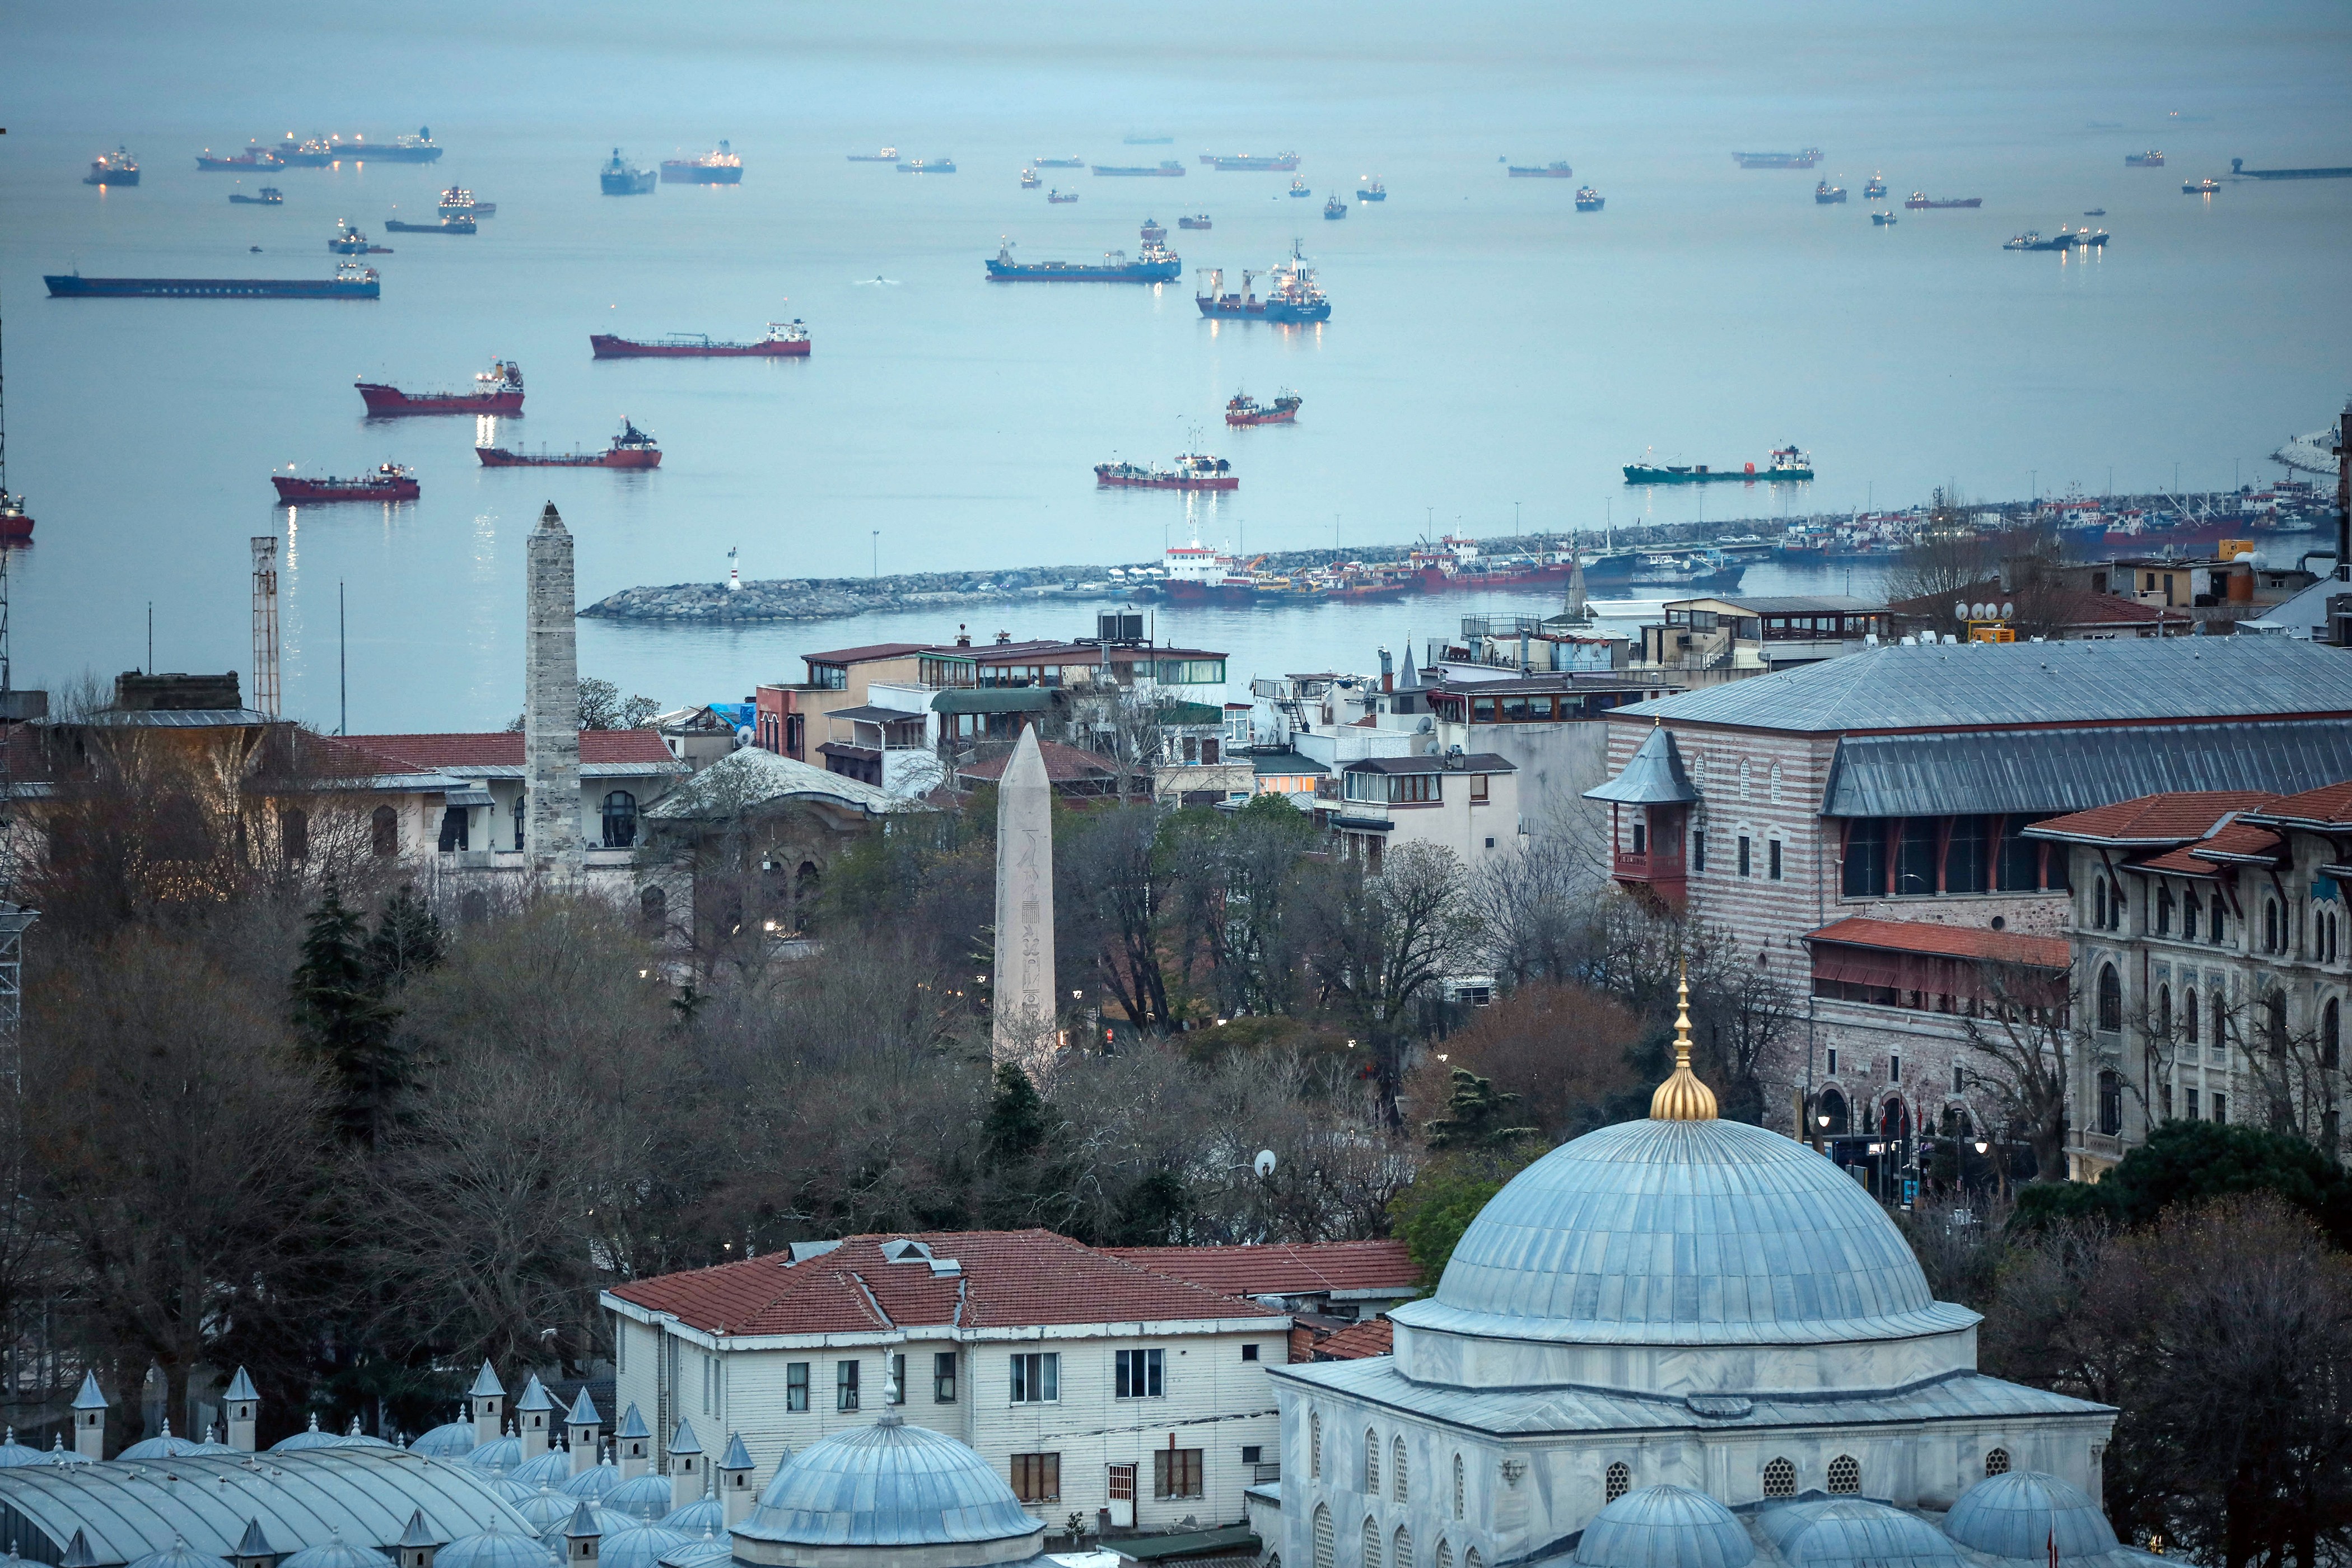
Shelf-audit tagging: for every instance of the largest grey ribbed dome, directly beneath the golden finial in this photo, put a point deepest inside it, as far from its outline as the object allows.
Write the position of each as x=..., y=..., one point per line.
x=1685, y=1233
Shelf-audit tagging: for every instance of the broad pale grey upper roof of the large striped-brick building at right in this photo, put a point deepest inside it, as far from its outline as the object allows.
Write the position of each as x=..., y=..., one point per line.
x=1996, y=685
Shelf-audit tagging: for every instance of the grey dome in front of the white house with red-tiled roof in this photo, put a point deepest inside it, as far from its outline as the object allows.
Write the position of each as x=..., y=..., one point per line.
x=888, y=1487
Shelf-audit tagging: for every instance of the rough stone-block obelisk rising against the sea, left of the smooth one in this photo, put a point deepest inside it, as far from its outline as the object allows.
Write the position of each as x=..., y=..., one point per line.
x=552, y=706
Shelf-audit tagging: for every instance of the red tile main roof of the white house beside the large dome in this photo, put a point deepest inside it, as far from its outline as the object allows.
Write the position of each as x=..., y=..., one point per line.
x=1010, y=1280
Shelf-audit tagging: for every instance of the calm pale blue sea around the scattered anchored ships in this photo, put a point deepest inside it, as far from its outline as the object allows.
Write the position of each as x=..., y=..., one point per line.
x=1492, y=354
